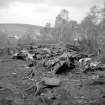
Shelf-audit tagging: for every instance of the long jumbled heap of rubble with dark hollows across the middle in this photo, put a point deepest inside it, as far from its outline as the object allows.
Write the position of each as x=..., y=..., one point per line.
x=58, y=60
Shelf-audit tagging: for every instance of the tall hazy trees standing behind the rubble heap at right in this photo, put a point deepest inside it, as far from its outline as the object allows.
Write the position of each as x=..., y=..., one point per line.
x=89, y=33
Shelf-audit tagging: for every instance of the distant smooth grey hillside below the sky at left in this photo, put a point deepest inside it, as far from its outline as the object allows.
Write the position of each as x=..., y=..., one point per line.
x=19, y=29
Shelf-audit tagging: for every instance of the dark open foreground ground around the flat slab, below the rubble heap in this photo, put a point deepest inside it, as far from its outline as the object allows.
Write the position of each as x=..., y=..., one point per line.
x=76, y=89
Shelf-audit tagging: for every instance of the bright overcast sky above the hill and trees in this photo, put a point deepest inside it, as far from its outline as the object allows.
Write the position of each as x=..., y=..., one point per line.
x=38, y=12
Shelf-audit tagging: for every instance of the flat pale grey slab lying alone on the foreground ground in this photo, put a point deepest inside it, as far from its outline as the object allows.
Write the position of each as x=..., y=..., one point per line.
x=51, y=81
